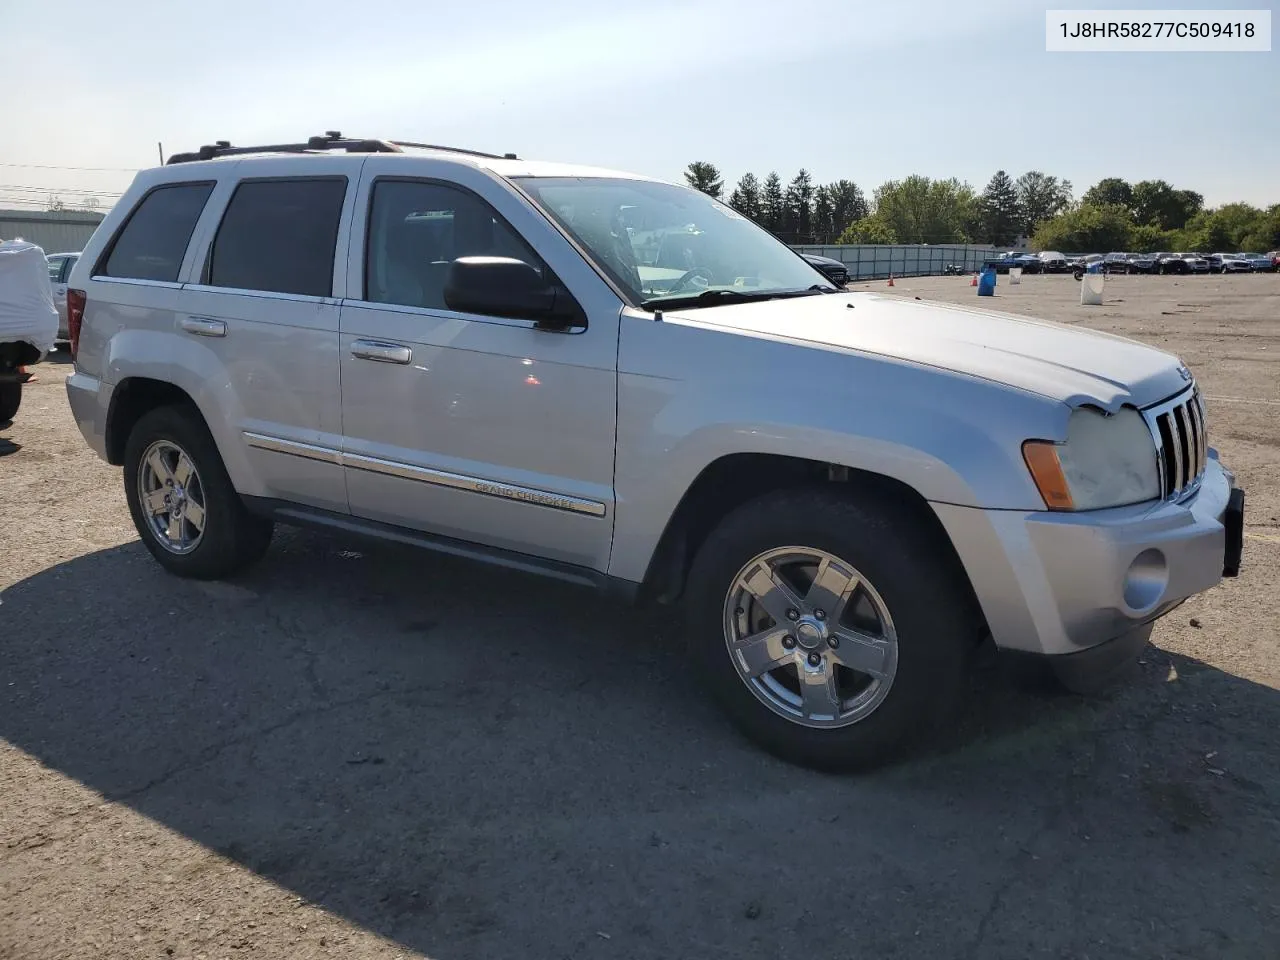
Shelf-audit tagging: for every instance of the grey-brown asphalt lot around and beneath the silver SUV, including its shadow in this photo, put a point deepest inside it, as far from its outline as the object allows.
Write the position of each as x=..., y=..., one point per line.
x=365, y=752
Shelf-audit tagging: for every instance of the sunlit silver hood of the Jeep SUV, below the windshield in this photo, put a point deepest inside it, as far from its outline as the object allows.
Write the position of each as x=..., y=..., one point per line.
x=1058, y=362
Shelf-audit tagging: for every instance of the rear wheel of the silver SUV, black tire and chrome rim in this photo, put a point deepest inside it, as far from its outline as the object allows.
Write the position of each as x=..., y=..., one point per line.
x=228, y=538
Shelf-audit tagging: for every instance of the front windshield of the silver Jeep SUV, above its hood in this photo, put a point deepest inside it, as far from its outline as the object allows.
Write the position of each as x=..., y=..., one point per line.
x=661, y=243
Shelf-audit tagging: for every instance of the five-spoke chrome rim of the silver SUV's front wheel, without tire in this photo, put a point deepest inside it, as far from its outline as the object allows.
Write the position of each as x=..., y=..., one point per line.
x=811, y=637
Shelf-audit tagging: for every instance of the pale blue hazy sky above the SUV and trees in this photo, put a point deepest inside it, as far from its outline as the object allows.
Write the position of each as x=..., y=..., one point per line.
x=847, y=89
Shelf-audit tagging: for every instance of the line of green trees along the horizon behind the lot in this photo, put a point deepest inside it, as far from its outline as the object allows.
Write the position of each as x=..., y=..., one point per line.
x=1112, y=216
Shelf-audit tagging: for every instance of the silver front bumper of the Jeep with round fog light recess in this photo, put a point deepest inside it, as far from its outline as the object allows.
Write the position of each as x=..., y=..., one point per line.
x=1058, y=584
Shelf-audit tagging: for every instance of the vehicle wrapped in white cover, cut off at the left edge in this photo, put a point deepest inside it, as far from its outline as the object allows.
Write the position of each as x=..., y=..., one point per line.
x=29, y=321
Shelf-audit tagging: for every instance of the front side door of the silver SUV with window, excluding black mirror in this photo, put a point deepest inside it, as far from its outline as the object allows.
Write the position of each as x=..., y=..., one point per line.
x=477, y=428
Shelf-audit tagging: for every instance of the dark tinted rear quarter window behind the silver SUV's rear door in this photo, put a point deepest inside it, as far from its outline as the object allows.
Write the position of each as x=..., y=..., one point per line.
x=154, y=240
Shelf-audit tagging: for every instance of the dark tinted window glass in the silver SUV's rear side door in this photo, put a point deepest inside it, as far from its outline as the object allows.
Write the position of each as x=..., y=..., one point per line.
x=280, y=236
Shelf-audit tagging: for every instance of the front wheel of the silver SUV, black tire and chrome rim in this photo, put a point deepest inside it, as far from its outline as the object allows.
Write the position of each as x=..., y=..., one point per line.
x=924, y=650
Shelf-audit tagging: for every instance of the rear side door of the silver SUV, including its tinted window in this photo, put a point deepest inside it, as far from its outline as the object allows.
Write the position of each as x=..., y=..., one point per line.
x=266, y=301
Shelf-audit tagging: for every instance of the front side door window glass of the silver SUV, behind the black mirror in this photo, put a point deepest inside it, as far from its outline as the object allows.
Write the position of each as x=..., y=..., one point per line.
x=418, y=230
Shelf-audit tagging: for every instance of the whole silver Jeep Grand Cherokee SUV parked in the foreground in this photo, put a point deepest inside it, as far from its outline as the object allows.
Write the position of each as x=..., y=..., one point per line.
x=624, y=383
